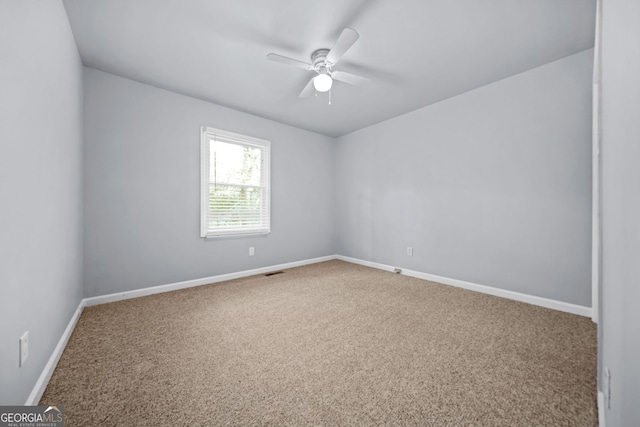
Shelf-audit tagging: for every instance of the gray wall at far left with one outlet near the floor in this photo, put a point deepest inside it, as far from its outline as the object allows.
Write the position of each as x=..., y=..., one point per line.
x=40, y=187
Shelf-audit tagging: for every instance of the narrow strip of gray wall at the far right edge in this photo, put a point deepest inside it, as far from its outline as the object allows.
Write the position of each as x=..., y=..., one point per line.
x=620, y=317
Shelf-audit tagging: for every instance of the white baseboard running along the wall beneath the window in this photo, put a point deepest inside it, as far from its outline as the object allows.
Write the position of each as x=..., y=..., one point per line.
x=136, y=293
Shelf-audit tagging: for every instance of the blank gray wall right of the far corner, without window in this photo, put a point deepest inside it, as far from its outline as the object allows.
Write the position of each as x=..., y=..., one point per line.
x=491, y=187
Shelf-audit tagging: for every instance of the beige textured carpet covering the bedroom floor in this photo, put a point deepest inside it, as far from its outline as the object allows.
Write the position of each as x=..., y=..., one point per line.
x=331, y=344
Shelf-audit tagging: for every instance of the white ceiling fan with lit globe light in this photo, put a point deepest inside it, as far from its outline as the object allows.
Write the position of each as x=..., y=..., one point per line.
x=322, y=63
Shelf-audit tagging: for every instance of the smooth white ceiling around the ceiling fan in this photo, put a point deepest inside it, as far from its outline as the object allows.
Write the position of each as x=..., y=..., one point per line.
x=416, y=52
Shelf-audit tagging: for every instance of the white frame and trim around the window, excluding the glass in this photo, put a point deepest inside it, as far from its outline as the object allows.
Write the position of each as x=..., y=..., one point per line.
x=207, y=134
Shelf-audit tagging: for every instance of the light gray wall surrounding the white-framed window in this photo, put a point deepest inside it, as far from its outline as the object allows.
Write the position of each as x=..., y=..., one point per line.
x=142, y=180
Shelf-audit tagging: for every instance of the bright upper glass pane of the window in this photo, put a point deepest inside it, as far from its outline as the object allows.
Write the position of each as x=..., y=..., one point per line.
x=235, y=164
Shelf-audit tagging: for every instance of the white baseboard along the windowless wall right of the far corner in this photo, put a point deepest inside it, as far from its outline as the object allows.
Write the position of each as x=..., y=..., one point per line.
x=517, y=296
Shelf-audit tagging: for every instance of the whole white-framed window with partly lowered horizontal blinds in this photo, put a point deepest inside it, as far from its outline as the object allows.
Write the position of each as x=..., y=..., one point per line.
x=234, y=184
